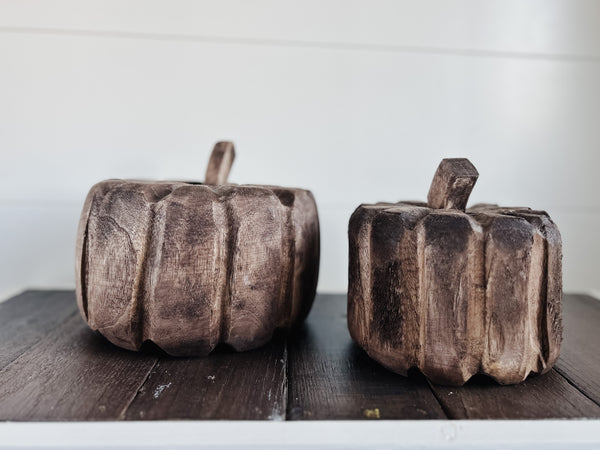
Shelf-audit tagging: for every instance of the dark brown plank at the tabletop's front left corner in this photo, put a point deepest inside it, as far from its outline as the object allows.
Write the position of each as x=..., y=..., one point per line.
x=72, y=374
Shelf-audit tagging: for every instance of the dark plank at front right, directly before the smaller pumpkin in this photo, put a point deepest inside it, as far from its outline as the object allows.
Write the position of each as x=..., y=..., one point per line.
x=546, y=396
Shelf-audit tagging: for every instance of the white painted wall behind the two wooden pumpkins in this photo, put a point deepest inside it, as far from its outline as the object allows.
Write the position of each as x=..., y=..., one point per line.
x=357, y=100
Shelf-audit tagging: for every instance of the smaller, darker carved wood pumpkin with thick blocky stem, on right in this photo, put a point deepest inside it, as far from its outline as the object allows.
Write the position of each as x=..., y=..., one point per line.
x=453, y=292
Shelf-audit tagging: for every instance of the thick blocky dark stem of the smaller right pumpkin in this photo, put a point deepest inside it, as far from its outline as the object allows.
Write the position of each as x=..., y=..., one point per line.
x=452, y=184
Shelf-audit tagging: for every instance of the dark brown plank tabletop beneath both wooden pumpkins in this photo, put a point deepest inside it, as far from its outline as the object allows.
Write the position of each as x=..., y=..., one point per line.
x=52, y=367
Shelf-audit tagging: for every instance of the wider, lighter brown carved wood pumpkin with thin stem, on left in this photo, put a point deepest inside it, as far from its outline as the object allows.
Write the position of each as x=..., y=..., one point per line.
x=190, y=265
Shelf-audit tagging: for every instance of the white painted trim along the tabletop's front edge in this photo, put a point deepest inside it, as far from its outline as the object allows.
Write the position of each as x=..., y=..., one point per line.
x=489, y=434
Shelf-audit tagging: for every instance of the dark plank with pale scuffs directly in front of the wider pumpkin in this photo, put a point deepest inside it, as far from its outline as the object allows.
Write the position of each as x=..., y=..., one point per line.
x=224, y=385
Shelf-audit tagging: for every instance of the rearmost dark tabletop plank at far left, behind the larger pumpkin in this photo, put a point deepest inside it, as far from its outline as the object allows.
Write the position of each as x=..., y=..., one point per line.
x=29, y=317
